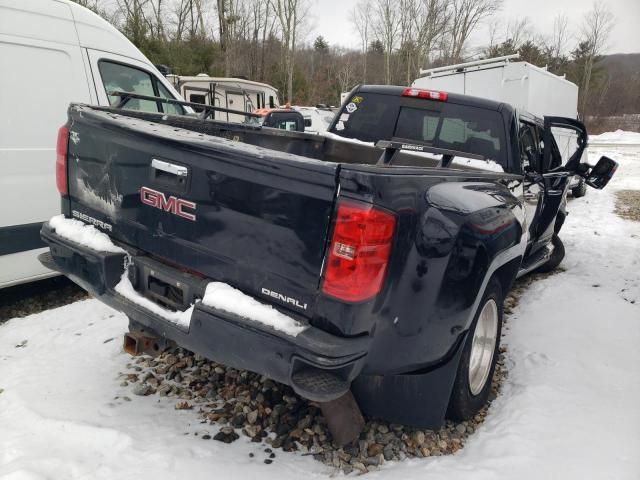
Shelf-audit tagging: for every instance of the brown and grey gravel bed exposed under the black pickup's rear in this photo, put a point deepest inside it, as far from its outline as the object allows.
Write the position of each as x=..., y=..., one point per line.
x=234, y=403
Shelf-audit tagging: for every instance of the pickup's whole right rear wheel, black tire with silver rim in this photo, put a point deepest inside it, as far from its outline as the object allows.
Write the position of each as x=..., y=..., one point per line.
x=479, y=357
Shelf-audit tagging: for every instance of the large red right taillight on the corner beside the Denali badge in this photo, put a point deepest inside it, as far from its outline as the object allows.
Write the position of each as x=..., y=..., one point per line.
x=359, y=252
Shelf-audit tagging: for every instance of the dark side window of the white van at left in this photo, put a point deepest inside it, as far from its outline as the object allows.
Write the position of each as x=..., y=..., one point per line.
x=125, y=78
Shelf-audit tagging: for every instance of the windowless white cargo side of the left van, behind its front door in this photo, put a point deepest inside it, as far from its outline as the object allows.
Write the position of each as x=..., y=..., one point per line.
x=41, y=72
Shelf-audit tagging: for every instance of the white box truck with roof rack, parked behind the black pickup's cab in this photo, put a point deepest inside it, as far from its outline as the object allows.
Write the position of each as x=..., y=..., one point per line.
x=528, y=88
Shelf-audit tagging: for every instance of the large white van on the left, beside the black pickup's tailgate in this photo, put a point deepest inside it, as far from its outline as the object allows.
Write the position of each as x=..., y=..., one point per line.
x=53, y=52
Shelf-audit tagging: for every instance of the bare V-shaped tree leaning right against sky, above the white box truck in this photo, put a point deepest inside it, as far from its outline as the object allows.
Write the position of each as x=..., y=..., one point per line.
x=465, y=16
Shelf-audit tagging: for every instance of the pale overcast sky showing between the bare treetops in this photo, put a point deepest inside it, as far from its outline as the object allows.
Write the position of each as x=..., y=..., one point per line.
x=331, y=19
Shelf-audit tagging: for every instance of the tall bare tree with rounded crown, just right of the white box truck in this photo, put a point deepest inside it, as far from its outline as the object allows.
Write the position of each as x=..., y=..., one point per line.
x=595, y=30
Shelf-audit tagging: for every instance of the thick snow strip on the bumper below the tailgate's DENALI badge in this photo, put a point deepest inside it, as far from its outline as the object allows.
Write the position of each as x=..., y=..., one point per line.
x=225, y=297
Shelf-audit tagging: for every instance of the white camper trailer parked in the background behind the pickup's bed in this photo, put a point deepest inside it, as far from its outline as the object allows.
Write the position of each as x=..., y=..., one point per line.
x=232, y=93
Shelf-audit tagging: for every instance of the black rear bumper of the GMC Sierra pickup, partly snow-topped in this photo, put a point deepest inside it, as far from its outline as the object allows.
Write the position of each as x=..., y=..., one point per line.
x=317, y=365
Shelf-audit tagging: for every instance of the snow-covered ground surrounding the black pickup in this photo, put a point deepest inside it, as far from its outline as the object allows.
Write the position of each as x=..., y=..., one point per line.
x=568, y=409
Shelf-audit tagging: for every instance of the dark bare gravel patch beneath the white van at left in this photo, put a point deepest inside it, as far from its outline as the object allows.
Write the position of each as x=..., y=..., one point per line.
x=35, y=297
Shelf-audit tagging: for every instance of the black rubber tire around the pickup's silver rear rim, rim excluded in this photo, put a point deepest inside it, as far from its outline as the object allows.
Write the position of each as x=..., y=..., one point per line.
x=463, y=404
